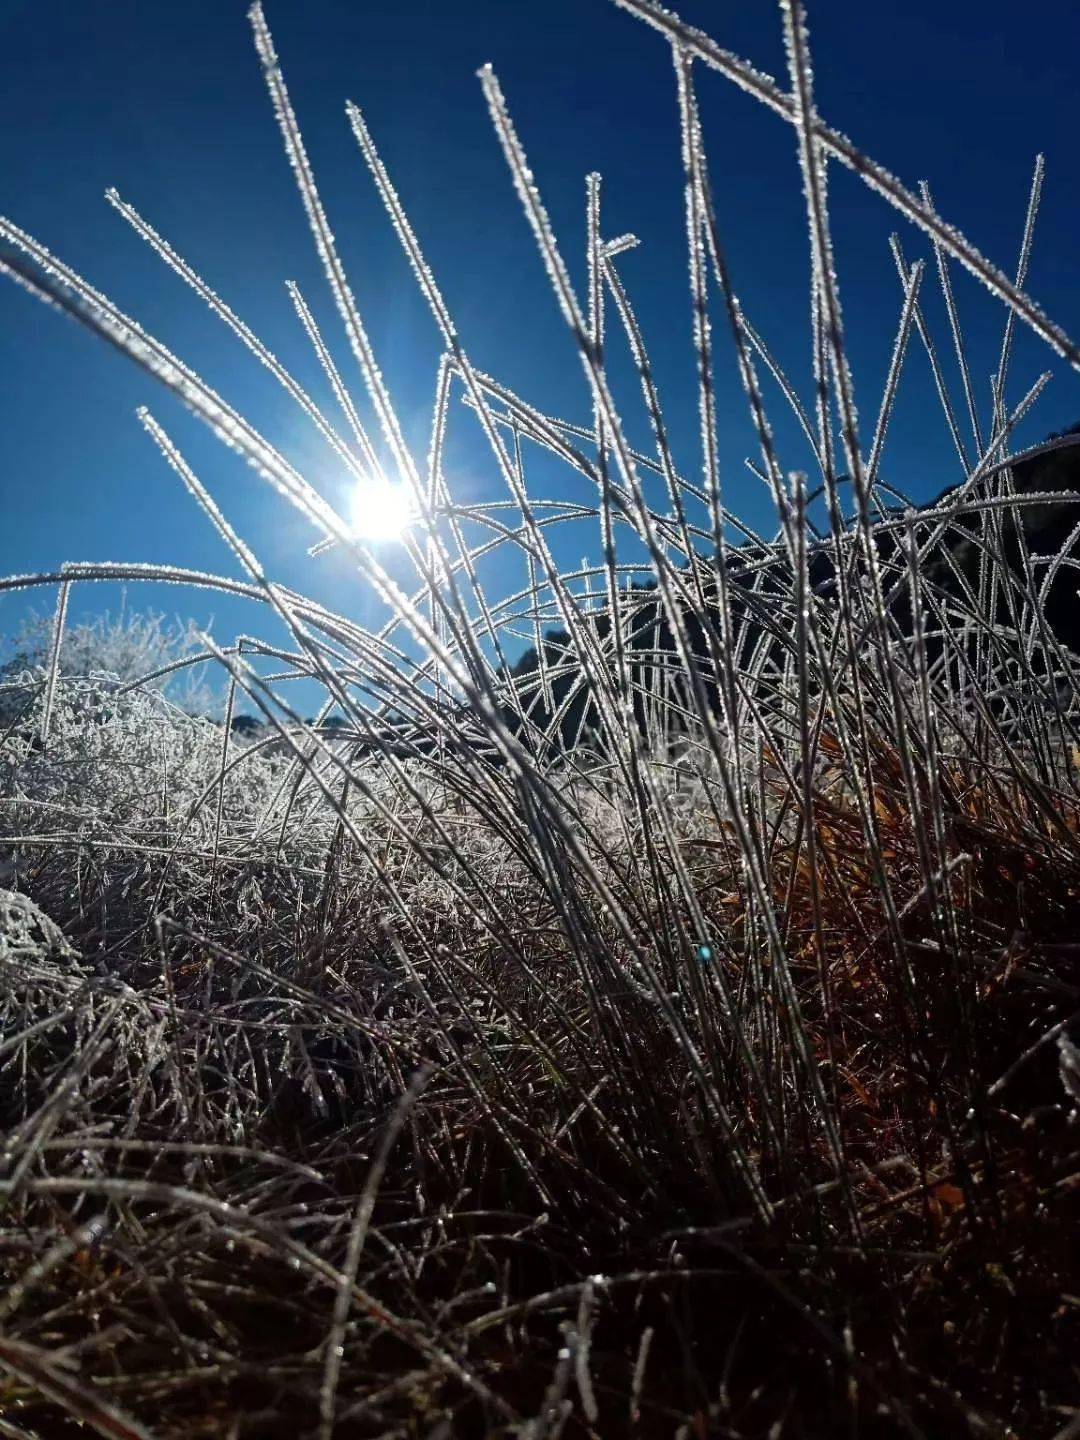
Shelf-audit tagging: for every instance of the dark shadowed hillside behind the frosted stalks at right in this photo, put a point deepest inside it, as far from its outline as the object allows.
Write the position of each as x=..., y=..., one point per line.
x=762, y=593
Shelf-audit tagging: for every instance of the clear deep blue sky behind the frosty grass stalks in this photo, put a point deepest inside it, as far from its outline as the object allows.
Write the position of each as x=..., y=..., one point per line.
x=166, y=102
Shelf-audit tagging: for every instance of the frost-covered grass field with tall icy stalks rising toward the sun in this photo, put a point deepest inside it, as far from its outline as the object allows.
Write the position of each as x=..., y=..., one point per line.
x=415, y=1076
